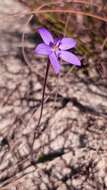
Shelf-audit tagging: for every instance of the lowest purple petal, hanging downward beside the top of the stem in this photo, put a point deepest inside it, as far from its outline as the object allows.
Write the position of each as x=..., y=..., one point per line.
x=54, y=62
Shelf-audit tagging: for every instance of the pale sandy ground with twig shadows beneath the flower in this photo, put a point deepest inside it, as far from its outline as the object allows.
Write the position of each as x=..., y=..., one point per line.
x=70, y=148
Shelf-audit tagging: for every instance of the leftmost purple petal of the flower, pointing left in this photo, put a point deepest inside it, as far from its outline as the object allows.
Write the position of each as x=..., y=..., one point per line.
x=42, y=49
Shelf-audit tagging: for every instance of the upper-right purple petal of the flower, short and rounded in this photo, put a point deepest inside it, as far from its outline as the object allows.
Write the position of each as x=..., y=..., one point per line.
x=67, y=43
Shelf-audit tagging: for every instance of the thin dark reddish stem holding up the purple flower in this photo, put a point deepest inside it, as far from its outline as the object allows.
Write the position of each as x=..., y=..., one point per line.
x=42, y=106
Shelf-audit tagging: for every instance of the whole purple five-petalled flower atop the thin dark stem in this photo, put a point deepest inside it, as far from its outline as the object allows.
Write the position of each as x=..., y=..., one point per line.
x=56, y=48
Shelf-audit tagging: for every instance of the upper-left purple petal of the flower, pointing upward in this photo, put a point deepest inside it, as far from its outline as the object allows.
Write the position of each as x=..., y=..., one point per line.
x=45, y=35
